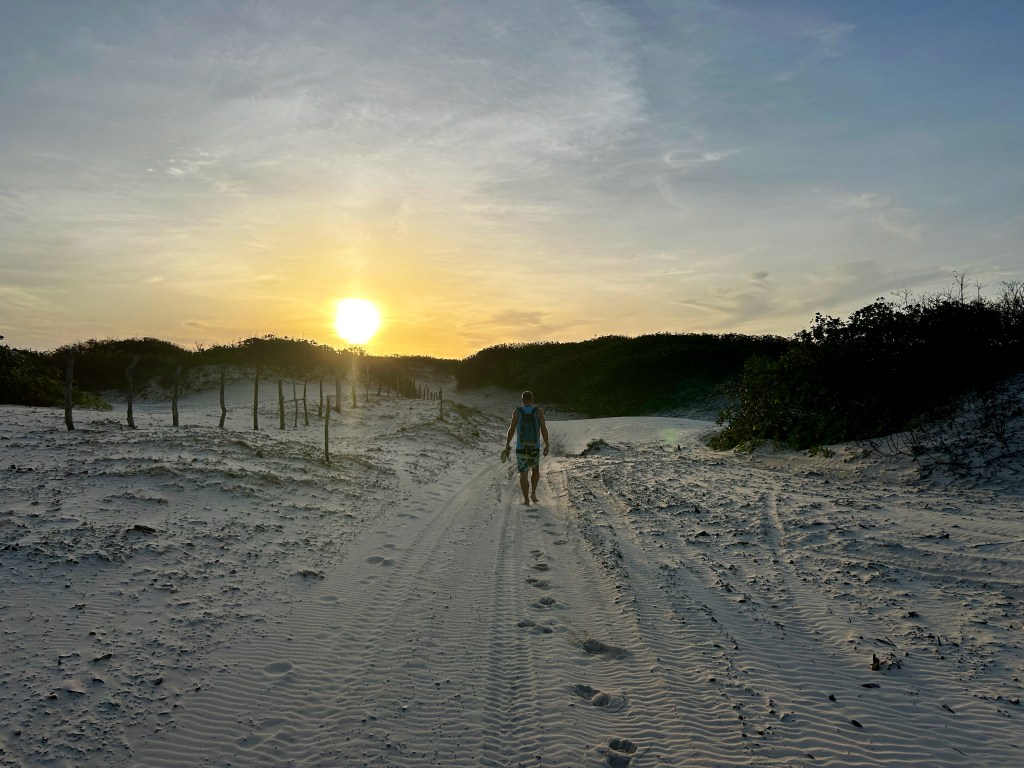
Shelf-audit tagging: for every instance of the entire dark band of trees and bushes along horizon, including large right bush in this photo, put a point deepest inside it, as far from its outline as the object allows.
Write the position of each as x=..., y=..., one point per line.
x=892, y=366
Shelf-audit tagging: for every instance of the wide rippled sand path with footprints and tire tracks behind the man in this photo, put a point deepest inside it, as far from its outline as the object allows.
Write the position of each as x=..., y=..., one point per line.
x=467, y=631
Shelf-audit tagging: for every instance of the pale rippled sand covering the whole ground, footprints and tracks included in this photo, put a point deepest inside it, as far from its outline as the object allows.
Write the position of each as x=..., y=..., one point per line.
x=199, y=598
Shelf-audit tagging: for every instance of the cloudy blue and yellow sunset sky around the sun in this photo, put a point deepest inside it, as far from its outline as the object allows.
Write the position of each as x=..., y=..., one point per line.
x=505, y=172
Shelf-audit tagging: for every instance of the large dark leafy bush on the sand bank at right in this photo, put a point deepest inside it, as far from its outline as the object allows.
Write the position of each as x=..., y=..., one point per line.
x=892, y=367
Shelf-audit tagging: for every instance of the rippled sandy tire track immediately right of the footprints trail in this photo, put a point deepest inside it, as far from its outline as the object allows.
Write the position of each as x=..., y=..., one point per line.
x=680, y=707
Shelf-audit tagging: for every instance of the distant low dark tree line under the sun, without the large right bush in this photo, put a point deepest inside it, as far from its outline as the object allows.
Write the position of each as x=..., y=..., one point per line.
x=609, y=376
